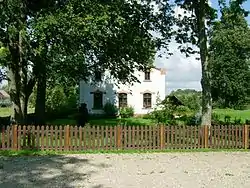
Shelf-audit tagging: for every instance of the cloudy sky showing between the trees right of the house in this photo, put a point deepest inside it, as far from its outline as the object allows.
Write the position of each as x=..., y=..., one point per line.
x=182, y=72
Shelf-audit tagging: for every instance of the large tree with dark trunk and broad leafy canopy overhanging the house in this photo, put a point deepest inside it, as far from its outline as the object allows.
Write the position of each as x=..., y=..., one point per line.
x=111, y=35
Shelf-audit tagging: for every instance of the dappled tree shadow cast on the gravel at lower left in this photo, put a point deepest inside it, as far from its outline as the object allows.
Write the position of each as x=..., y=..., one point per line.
x=38, y=169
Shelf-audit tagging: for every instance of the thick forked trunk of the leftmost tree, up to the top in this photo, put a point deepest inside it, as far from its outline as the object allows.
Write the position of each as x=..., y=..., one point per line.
x=21, y=85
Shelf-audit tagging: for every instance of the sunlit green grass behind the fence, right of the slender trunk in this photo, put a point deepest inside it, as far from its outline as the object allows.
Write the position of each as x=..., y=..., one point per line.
x=238, y=114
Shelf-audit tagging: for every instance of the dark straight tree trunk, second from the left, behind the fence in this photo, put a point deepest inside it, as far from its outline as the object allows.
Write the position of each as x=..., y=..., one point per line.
x=41, y=95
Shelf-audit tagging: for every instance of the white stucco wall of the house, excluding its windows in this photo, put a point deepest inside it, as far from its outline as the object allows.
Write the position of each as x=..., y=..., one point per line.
x=135, y=98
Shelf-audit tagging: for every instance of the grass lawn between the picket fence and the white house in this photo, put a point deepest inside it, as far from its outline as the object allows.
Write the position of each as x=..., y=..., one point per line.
x=109, y=121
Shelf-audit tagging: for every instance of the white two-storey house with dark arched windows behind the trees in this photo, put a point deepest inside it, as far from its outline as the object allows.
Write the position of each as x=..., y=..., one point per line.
x=141, y=96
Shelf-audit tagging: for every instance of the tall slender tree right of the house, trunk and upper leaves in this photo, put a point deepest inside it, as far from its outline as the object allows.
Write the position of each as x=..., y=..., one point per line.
x=192, y=29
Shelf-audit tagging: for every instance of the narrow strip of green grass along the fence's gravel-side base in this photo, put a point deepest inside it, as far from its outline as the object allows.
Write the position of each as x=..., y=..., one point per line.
x=11, y=153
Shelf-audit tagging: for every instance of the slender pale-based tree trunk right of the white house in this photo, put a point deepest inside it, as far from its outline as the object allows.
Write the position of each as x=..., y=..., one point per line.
x=206, y=74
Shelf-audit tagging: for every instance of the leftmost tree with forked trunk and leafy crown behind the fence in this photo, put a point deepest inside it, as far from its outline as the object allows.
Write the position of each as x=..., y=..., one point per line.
x=16, y=17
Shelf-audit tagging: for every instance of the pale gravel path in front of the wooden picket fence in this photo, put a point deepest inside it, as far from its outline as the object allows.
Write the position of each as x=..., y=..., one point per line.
x=188, y=170
